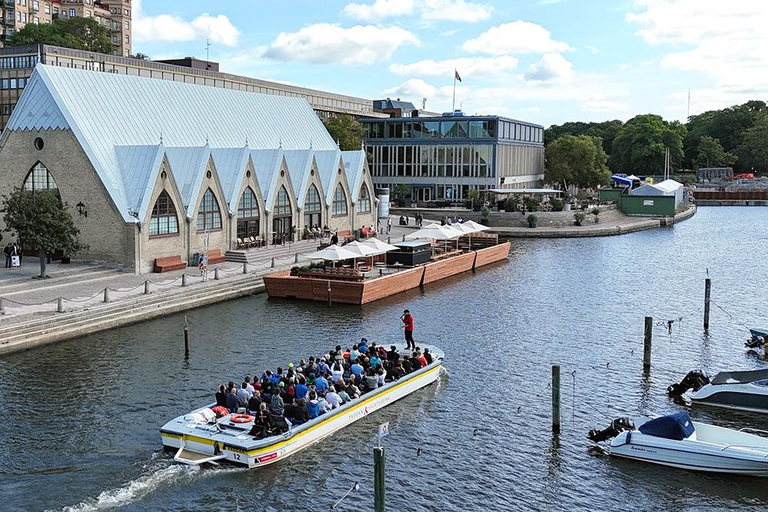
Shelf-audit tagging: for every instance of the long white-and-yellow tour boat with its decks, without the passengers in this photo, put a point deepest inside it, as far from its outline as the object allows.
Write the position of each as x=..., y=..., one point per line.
x=200, y=437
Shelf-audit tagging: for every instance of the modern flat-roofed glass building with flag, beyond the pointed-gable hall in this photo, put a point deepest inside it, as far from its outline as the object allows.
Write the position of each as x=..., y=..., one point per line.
x=442, y=158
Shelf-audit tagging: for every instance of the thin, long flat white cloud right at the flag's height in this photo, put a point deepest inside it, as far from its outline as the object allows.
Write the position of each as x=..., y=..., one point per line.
x=468, y=68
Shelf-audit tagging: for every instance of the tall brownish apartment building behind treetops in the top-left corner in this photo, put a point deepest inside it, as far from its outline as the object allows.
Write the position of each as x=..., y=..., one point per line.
x=115, y=15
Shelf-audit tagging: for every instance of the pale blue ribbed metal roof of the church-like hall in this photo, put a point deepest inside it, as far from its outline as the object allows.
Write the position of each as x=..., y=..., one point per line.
x=192, y=119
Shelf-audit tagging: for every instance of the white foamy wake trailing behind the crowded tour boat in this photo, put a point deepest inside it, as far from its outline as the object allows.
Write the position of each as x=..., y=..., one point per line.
x=156, y=475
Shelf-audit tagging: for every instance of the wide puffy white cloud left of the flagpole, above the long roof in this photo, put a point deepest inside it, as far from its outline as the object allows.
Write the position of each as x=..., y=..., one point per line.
x=323, y=43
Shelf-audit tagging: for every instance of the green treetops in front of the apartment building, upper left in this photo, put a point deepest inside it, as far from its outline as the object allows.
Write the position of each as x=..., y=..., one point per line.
x=79, y=33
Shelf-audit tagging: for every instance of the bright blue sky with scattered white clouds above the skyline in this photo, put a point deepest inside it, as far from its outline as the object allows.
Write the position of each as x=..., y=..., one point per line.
x=545, y=61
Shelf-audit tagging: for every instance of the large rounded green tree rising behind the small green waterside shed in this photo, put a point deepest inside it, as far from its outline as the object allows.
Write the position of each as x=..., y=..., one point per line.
x=640, y=145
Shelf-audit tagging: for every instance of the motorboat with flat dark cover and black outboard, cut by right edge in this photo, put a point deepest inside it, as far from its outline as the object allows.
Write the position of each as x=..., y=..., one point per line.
x=742, y=390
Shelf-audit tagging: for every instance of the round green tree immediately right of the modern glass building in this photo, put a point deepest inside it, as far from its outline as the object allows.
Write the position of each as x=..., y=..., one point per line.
x=579, y=161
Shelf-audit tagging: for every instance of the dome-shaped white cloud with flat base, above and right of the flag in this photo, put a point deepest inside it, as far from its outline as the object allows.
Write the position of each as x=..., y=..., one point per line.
x=514, y=38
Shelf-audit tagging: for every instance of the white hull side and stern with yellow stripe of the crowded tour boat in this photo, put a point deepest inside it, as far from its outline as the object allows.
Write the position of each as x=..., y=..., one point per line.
x=243, y=450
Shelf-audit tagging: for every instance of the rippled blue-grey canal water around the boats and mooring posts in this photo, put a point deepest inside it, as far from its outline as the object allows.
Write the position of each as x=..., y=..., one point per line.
x=79, y=422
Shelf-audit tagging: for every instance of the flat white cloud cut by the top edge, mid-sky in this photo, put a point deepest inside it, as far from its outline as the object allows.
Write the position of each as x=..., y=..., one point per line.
x=428, y=10
